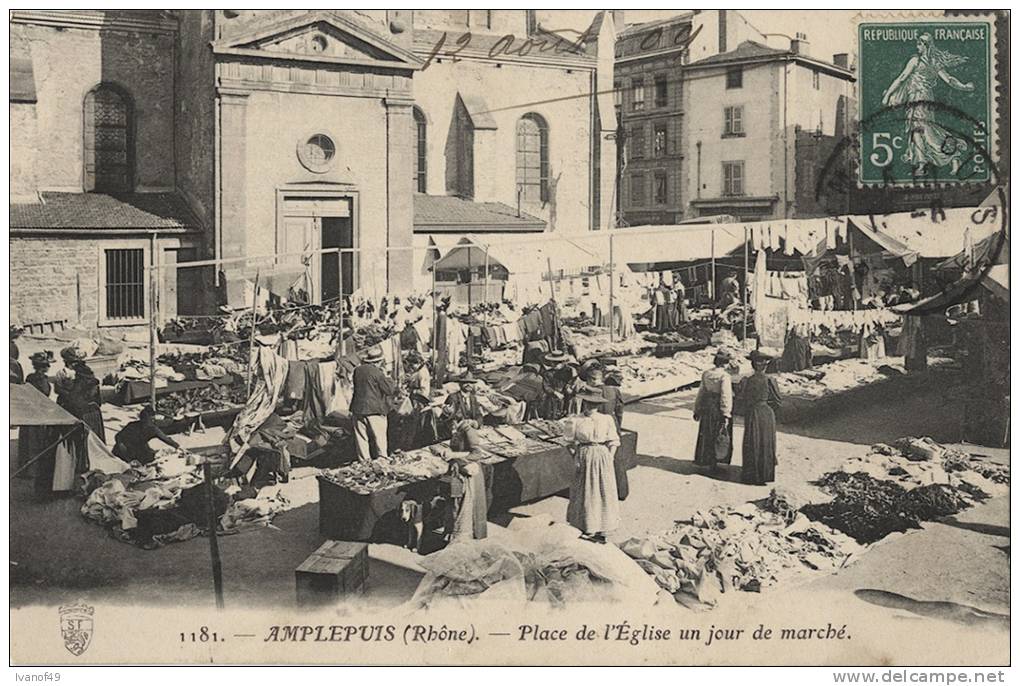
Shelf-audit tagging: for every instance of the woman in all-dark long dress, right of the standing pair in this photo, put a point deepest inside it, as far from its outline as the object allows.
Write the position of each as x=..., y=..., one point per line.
x=760, y=395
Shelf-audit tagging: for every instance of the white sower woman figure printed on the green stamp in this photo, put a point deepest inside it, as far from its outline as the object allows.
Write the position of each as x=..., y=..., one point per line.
x=929, y=142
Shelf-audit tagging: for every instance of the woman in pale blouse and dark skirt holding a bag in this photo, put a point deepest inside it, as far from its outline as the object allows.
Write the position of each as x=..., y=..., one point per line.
x=713, y=409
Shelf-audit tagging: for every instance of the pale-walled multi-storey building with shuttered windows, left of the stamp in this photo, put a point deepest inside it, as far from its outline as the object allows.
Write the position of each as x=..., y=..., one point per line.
x=754, y=118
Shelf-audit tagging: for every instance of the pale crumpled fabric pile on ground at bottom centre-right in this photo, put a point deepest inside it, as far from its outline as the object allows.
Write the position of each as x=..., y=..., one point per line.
x=737, y=549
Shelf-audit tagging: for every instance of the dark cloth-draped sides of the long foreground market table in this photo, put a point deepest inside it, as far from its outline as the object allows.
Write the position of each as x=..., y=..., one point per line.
x=345, y=515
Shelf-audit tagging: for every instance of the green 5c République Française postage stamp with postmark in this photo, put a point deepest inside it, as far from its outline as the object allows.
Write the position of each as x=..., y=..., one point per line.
x=927, y=97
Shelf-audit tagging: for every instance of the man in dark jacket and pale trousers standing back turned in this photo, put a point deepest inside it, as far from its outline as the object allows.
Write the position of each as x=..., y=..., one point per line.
x=371, y=406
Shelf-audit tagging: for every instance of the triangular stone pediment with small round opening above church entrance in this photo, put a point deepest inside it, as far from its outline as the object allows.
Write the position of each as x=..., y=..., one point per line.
x=321, y=37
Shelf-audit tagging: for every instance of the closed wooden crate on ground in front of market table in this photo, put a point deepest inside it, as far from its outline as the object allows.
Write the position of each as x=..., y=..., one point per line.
x=337, y=569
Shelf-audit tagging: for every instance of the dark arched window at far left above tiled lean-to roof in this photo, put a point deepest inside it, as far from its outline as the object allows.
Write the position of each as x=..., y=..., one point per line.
x=108, y=144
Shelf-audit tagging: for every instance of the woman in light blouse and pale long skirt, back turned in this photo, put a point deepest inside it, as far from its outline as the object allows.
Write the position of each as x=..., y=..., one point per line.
x=595, y=506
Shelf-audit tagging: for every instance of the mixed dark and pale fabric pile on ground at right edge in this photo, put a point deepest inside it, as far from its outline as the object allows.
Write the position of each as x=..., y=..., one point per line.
x=896, y=488
